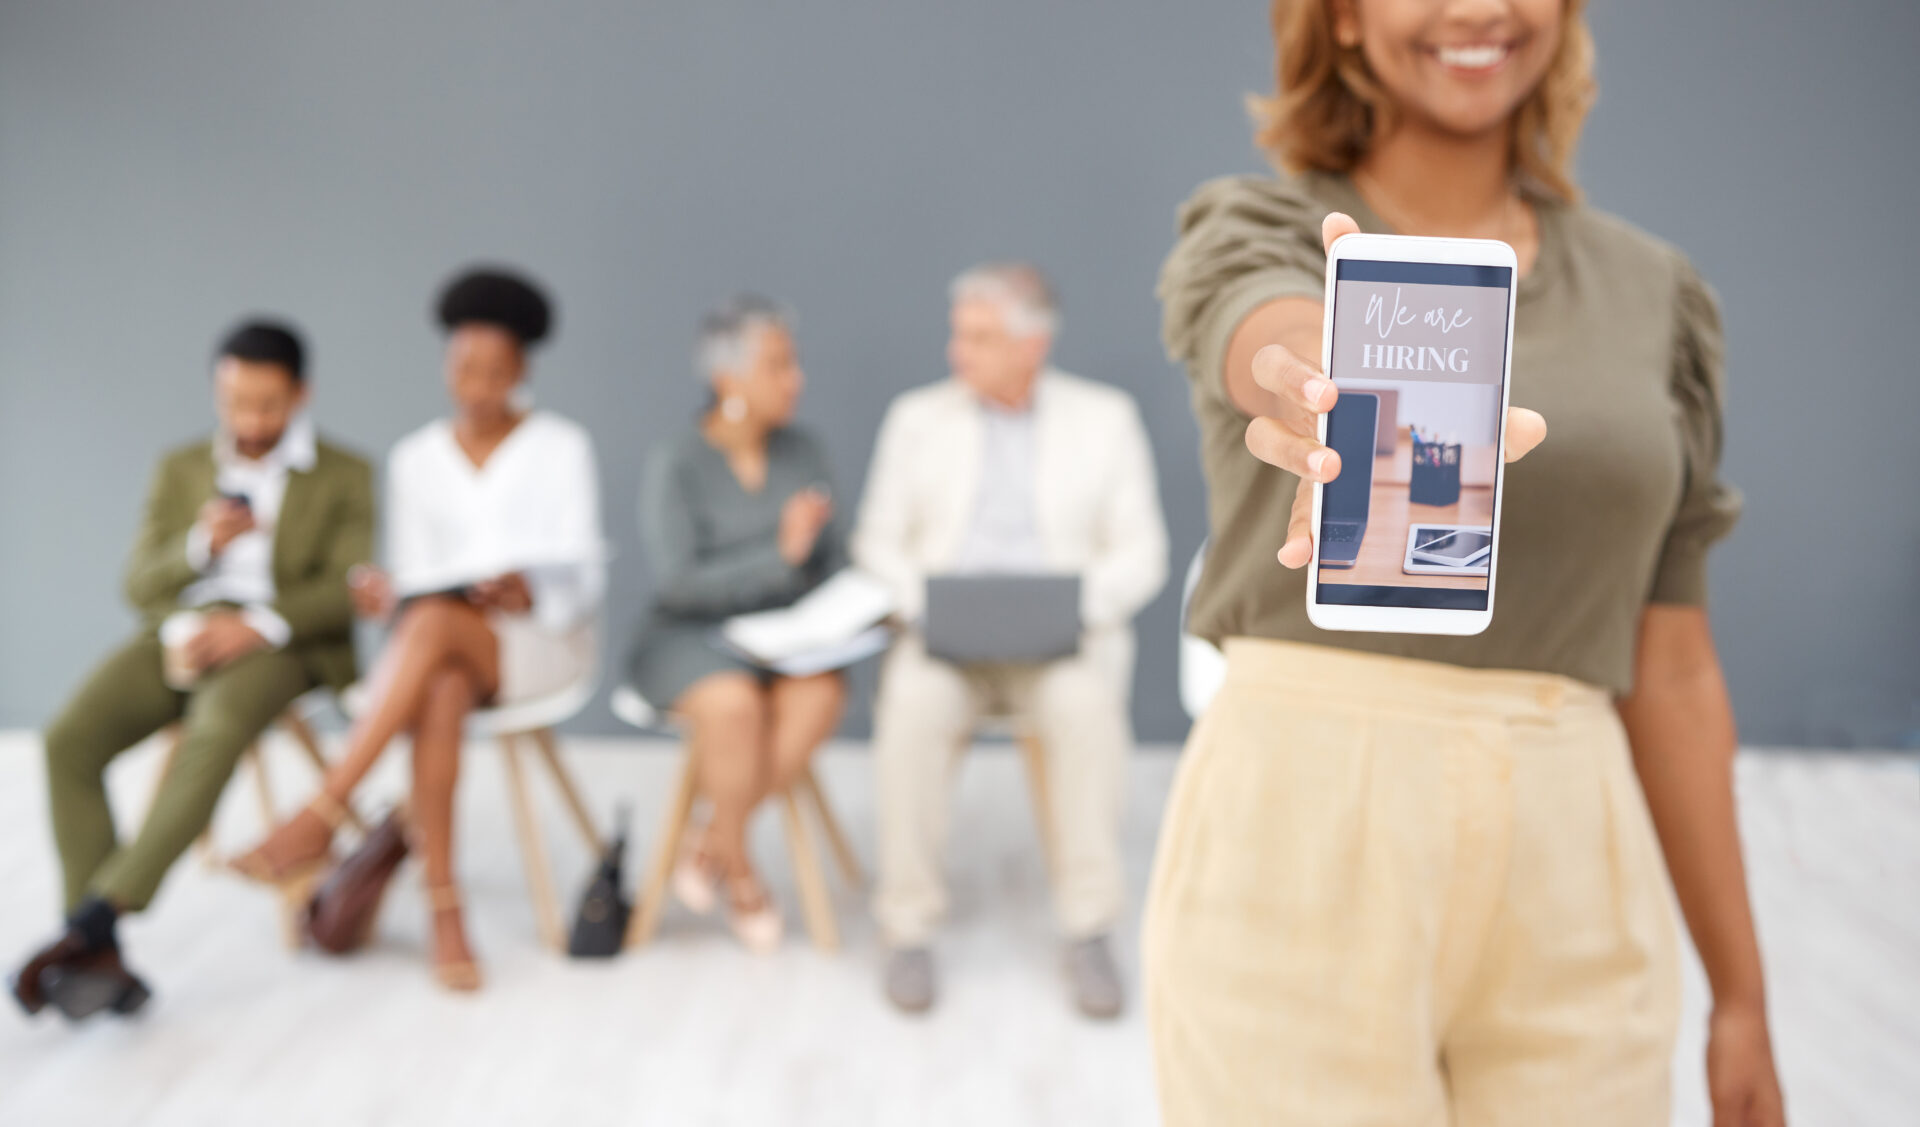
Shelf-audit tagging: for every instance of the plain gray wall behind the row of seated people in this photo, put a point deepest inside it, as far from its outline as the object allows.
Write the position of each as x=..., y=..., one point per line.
x=166, y=166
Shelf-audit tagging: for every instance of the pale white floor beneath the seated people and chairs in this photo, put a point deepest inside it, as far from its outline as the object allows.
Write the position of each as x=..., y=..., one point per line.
x=694, y=1032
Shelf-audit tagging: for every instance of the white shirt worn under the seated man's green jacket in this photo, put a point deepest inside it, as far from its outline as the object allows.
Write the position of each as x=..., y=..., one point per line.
x=243, y=575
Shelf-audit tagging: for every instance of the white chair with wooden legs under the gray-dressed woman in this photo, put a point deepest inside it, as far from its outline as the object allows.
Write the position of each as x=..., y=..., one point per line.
x=817, y=901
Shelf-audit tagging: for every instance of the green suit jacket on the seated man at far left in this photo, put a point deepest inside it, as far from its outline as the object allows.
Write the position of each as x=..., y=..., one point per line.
x=325, y=529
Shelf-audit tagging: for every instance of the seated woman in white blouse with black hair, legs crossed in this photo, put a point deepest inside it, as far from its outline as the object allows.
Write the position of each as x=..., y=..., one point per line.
x=498, y=571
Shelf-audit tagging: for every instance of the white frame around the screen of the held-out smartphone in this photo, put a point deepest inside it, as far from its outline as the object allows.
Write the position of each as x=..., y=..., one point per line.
x=1404, y=249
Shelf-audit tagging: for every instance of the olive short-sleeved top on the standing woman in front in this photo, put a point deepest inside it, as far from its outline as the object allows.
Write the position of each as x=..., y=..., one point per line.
x=1616, y=341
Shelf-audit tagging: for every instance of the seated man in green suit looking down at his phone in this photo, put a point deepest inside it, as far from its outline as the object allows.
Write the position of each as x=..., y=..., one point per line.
x=243, y=569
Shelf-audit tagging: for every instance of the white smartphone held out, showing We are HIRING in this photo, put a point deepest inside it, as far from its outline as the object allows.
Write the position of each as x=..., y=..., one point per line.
x=1431, y=322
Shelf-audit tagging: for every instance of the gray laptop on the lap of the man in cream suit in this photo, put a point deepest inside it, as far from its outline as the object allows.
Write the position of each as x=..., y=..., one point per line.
x=1003, y=619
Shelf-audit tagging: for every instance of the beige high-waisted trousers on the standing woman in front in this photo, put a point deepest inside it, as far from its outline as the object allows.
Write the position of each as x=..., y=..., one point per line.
x=1408, y=894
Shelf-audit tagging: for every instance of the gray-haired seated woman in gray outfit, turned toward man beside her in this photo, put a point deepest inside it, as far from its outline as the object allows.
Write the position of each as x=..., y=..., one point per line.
x=736, y=517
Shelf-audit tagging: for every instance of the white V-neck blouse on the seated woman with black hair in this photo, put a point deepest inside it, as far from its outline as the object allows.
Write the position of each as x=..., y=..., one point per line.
x=533, y=510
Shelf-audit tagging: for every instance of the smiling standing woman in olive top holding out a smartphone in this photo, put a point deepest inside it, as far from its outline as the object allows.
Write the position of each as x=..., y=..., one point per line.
x=1410, y=878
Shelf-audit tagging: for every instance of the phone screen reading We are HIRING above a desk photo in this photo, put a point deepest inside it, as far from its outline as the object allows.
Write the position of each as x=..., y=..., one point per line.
x=1428, y=343
